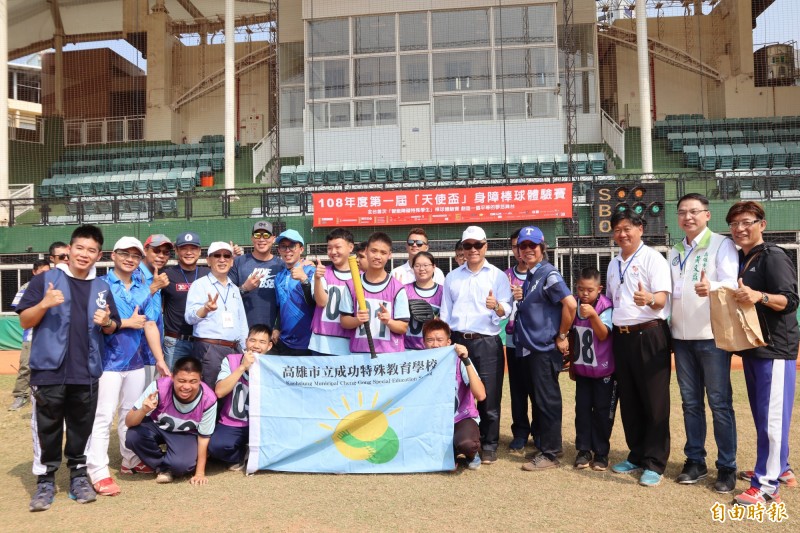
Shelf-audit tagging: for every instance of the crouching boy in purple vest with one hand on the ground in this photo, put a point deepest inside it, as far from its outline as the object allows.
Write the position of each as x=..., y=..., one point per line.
x=179, y=412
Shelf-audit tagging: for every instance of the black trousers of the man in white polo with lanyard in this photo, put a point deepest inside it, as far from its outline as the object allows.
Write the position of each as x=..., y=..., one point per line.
x=643, y=373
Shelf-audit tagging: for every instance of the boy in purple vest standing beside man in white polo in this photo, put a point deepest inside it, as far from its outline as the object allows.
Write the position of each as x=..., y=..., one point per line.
x=593, y=371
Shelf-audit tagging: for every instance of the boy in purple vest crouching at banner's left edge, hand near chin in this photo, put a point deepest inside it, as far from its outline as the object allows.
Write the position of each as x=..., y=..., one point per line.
x=231, y=435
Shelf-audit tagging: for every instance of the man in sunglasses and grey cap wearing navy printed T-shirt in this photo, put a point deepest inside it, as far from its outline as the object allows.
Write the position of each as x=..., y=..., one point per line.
x=254, y=273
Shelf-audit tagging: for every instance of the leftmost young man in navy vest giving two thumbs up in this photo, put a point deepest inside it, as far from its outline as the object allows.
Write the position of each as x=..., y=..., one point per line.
x=71, y=311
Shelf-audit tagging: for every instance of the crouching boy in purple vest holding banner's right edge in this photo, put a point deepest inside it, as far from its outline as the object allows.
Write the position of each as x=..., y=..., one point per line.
x=469, y=388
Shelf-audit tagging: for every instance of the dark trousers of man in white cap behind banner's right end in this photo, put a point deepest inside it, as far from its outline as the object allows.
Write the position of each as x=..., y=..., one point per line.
x=487, y=356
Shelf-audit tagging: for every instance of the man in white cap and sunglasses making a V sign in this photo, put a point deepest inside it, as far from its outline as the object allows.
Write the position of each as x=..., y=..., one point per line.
x=214, y=307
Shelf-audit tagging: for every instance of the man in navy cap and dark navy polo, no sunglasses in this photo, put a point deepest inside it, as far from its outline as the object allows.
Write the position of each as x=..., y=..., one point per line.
x=178, y=332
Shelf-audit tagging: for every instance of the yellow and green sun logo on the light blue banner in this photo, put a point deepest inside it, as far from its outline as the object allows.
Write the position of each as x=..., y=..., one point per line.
x=365, y=434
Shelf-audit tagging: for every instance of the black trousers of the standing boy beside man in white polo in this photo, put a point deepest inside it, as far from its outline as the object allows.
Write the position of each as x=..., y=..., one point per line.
x=595, y=408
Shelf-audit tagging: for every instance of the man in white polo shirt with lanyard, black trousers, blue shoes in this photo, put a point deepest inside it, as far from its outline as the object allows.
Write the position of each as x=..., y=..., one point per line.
x=639, y=286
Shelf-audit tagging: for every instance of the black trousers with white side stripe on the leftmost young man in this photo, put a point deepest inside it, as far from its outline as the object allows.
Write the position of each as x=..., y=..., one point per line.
x=53, y=407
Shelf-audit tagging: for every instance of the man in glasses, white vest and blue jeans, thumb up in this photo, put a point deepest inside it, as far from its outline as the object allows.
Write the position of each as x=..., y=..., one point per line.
x=702, y=262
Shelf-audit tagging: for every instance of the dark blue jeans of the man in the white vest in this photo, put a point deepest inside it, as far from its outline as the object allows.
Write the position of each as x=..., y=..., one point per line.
x=701, y=366
